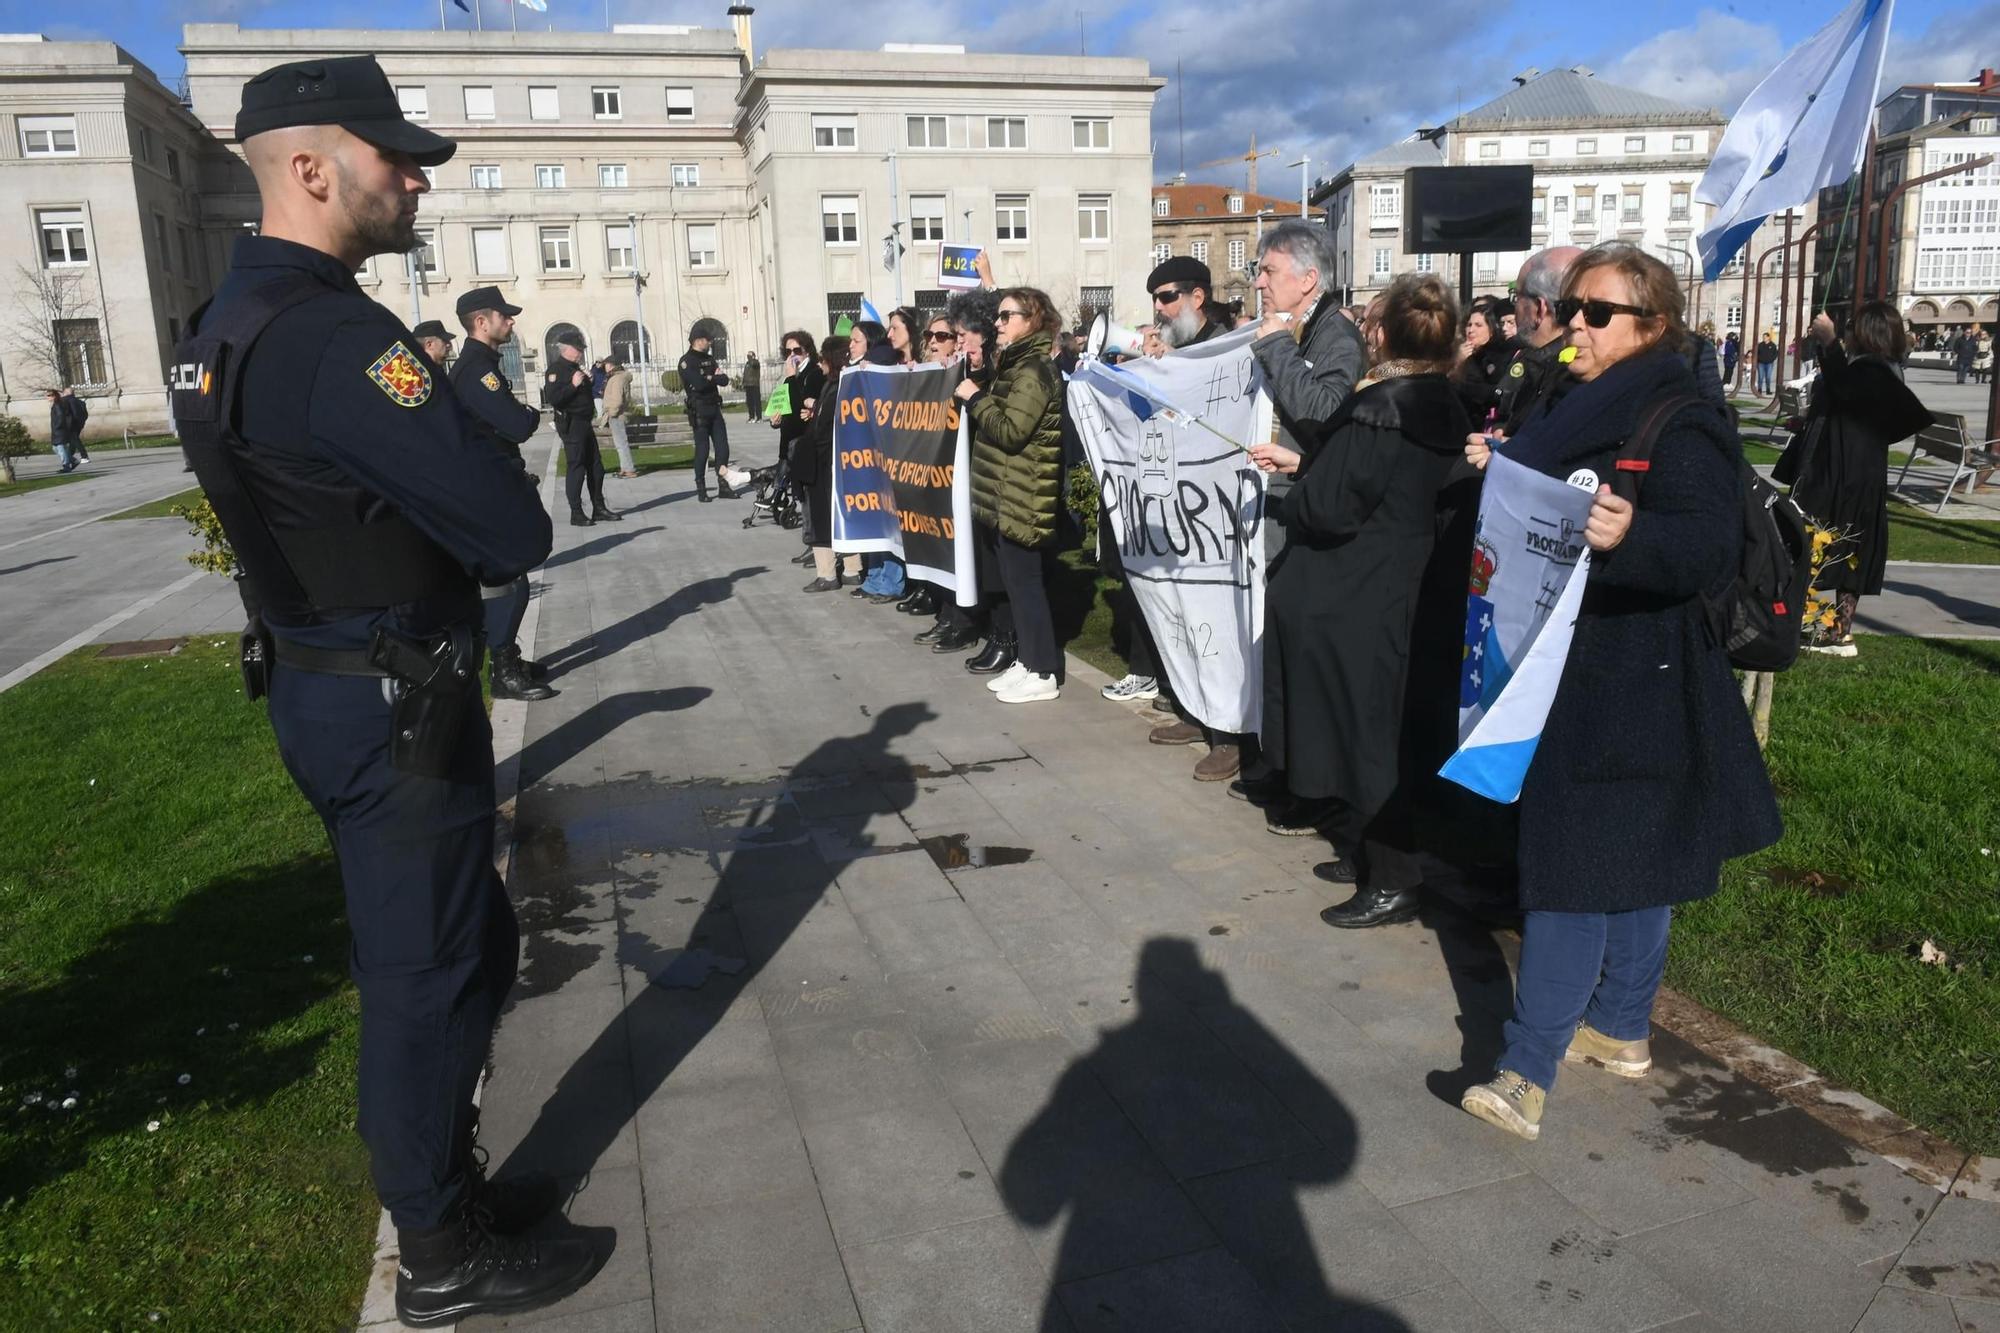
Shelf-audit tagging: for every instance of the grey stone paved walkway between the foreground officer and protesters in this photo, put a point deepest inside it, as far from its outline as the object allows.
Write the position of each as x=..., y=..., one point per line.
x=1007, y=1024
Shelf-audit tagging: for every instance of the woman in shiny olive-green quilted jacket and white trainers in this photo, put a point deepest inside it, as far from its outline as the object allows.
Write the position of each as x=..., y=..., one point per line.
x=1017, y=487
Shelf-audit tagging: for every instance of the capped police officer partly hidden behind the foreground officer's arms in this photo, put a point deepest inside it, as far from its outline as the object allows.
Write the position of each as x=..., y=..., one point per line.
x=505, y=423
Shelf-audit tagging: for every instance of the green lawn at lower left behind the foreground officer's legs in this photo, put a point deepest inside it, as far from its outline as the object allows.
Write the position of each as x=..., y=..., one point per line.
x=169, y=908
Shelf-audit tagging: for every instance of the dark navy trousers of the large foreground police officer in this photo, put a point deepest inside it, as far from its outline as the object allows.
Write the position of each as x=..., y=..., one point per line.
x=435, y=938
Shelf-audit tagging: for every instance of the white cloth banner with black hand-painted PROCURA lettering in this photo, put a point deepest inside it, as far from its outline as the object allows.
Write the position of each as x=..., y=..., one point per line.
x=1187, y=505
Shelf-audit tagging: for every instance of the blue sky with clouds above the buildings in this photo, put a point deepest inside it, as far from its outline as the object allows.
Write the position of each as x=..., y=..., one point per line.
x=1325, y=77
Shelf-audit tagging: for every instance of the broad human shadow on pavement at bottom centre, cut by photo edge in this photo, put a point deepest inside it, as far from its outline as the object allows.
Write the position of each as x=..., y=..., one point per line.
x=1275, y=1274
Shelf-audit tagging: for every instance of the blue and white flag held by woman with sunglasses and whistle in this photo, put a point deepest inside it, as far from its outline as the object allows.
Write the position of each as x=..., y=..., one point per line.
x=1529, y=571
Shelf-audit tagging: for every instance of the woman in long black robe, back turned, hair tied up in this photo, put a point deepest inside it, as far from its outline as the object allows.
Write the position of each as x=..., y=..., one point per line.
x=1359, y=529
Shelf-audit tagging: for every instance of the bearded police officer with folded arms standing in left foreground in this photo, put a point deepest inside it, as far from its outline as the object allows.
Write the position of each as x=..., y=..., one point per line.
x=365, y=513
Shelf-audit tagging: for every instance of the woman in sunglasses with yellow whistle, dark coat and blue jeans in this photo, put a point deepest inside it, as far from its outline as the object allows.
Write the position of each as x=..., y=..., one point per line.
x=1647, y=776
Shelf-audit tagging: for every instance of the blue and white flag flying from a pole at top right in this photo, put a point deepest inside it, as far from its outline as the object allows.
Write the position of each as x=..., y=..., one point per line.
x=1803, y=129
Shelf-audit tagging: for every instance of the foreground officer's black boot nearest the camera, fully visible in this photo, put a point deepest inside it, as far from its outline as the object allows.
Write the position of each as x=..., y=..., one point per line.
x=465, y=1268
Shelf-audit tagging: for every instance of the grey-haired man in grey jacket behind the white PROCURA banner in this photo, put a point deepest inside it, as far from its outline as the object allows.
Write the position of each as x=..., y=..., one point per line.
x=1309, y=347
